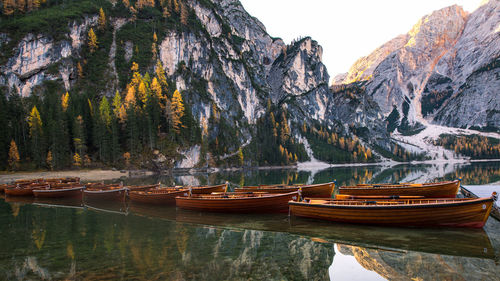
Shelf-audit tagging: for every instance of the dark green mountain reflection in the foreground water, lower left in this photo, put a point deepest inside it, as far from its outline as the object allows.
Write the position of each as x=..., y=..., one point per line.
x=92, y=244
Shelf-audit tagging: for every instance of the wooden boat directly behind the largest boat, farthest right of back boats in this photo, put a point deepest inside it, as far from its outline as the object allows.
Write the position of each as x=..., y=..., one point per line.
x=447, y=189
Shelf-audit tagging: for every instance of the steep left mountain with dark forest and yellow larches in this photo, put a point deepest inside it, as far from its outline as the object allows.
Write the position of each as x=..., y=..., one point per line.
x=234, y=78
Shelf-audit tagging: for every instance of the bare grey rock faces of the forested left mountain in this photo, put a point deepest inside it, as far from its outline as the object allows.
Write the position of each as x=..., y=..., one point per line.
x=225, y=63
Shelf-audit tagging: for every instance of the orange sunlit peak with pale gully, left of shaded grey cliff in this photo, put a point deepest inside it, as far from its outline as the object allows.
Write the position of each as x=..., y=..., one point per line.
x=398, y=70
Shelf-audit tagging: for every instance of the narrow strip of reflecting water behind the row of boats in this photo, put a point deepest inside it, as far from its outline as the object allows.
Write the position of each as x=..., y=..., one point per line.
x=471, y=173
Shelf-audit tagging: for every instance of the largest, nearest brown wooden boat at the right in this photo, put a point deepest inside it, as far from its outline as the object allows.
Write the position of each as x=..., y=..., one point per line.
x=458, y=212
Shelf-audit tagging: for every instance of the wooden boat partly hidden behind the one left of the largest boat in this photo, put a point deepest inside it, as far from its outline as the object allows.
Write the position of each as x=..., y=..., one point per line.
x=312, y=190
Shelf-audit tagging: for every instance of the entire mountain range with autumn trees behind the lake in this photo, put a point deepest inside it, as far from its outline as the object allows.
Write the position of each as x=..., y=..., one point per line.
x=197, y=83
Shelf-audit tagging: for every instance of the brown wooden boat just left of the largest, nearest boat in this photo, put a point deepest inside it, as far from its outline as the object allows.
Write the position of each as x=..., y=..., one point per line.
x=240, y=203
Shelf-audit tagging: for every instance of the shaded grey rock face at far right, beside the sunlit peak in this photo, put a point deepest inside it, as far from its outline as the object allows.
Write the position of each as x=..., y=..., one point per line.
x=465, y=82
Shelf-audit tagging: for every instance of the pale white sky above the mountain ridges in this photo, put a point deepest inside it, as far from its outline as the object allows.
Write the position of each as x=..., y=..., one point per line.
x=347, y=30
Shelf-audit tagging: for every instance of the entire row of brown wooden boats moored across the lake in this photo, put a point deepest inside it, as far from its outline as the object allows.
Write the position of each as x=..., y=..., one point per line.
x=402, y=204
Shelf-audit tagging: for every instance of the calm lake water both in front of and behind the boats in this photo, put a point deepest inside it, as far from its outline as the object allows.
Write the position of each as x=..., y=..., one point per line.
x=74, y=240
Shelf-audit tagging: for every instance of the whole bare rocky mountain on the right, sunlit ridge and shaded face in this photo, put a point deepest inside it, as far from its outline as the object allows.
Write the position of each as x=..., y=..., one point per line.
x=444, y=70
